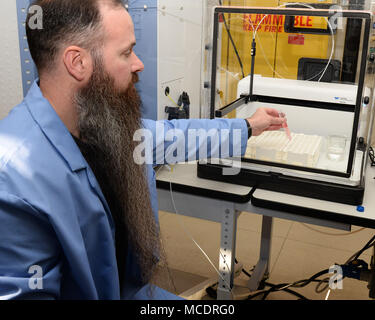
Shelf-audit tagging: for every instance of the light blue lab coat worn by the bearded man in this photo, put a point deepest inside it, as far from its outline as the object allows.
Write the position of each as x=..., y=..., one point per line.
x=54, y=216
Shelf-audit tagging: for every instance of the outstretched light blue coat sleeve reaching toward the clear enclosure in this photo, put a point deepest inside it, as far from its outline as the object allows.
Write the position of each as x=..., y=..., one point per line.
x=189, y=140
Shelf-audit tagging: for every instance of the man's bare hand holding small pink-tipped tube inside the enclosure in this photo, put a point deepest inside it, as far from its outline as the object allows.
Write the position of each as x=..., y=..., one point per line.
x=266, y=119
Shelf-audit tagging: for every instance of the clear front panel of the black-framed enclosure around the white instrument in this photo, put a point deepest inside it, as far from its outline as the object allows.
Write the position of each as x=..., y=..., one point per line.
x=311, y=67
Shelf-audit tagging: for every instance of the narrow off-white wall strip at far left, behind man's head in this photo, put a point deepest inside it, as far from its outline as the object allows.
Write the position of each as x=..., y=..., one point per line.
x=10, y=67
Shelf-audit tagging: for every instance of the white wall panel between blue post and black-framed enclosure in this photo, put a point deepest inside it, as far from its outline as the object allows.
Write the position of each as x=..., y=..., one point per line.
x=179, y=52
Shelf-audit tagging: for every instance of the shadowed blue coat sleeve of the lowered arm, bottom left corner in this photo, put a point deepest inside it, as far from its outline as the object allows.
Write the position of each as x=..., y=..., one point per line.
x=29, y=264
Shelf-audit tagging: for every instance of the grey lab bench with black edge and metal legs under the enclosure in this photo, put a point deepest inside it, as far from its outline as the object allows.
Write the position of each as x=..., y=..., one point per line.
x=224, y=202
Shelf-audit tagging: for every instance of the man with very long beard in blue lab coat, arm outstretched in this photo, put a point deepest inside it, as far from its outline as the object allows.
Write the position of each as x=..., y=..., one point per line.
x=78, y=216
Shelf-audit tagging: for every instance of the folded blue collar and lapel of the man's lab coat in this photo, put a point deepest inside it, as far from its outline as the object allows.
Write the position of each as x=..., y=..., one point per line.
x=53, y=127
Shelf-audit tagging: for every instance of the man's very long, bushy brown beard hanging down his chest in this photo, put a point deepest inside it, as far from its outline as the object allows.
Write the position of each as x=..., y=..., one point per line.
x=108, y=119
